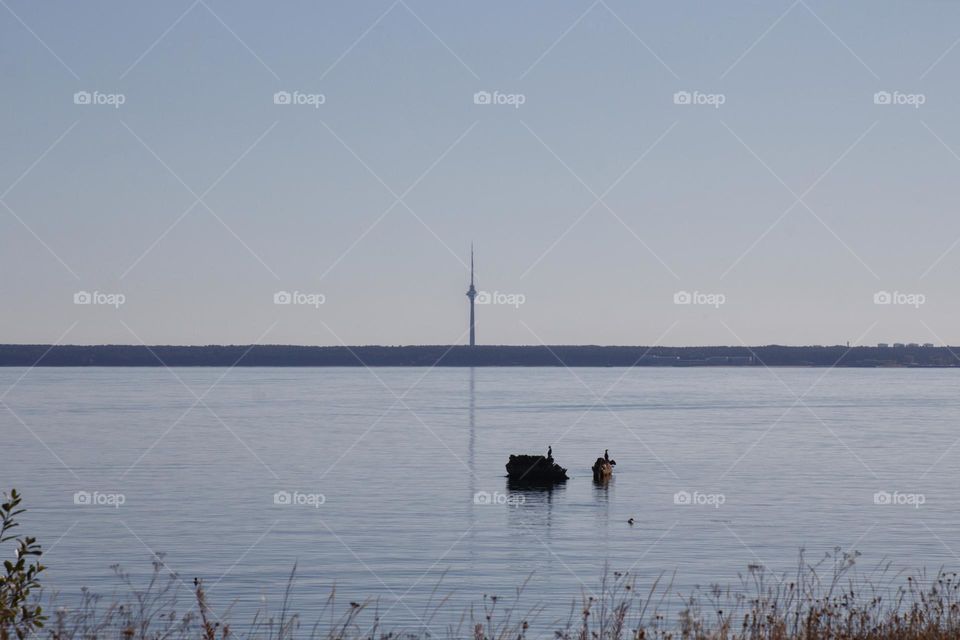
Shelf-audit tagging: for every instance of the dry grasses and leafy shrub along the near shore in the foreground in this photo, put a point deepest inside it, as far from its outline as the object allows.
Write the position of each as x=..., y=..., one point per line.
x=829, y=599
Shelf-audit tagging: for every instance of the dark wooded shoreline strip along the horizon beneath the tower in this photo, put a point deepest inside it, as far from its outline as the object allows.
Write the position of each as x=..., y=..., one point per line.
x=13, y=355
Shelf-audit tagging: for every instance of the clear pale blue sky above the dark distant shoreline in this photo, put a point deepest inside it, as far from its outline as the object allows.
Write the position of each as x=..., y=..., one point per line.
x=635, y=173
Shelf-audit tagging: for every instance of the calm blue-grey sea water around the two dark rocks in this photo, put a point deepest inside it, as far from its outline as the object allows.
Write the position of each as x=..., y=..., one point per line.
x=773, y=461
